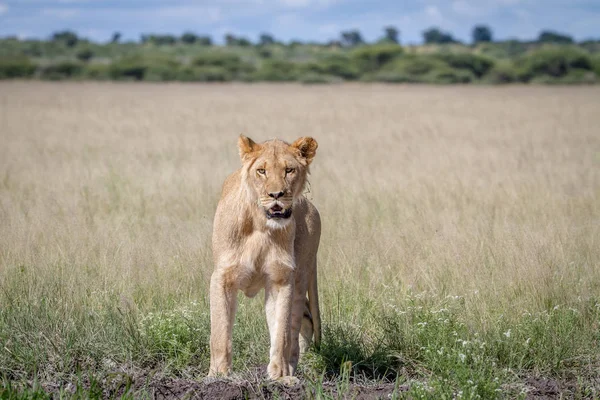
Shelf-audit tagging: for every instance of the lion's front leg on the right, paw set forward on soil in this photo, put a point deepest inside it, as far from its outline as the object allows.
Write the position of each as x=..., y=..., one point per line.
x=278, y=306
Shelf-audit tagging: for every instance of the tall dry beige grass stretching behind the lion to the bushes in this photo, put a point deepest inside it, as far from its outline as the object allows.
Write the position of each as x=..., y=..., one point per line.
x=107, y=194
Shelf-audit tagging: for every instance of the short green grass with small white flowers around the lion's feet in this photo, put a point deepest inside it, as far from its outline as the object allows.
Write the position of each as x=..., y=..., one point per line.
x=433, y=341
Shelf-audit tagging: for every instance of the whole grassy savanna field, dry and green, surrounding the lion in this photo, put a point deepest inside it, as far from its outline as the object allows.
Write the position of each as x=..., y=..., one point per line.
x=460, y=253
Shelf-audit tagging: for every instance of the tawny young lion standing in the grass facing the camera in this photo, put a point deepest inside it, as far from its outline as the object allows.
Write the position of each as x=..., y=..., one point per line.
x=266, y=235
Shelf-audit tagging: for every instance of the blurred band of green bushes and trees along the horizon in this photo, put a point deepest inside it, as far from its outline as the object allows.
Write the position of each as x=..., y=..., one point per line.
x=551, y=58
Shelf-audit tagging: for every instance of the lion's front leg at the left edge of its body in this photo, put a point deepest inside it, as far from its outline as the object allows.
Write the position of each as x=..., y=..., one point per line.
x=223, y=304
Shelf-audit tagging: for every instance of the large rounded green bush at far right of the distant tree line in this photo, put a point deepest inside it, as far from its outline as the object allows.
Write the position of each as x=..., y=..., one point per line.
x=555, y=62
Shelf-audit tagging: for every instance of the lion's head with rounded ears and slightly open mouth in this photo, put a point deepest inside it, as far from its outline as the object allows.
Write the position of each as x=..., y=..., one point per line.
x=274, y=173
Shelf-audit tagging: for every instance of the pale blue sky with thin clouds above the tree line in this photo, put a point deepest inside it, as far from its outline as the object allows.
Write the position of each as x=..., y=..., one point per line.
x=297, y=19
